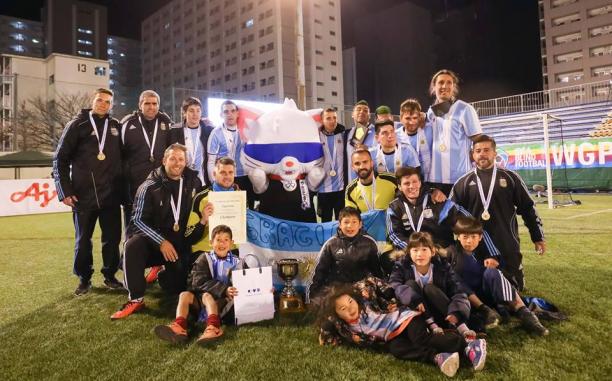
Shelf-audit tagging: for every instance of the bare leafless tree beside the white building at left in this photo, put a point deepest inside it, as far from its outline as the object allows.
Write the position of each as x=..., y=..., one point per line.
x=41, y=122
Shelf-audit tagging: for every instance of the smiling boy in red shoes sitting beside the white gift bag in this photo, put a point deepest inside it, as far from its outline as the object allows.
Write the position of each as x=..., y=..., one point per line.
x=209, y=288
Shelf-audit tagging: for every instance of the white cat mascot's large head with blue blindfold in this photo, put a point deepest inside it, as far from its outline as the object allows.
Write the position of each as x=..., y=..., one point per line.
x=283, y=143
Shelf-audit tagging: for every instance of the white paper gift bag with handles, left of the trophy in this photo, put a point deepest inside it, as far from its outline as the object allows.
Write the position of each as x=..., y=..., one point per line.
x=255, y=299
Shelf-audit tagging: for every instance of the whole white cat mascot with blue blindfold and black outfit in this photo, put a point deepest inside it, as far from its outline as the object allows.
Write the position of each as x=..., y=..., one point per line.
x=283, y=158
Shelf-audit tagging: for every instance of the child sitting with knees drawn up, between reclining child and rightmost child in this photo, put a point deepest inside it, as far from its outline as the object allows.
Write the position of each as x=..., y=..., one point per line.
x=424, y=282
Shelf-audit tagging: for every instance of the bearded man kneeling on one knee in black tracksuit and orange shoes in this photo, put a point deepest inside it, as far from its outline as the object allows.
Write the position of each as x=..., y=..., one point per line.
x=156, y=234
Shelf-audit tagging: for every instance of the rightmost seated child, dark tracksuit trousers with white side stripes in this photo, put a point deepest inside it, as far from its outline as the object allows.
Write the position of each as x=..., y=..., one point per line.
x=483, y=281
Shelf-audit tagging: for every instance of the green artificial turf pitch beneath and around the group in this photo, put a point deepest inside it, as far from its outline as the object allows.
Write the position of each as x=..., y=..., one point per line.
x=48, y=333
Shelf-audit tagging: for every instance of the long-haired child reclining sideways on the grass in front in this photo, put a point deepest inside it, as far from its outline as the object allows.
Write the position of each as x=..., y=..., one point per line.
x=348, y=317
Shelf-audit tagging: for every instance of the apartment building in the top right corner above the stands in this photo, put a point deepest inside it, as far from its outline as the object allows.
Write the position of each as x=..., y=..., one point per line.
x=576, y=44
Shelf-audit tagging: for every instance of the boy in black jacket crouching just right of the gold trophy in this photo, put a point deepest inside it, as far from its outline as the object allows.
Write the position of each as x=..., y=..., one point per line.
x=347, y=257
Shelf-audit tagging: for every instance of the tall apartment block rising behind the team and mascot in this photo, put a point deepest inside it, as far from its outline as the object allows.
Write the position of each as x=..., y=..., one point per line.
x=243, y=50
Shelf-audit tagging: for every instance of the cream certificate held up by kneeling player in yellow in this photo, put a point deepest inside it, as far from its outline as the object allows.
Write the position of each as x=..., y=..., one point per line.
x=230, y=210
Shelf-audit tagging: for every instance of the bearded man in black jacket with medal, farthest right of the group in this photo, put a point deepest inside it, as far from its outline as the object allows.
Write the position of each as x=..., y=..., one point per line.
x=496, y=196
